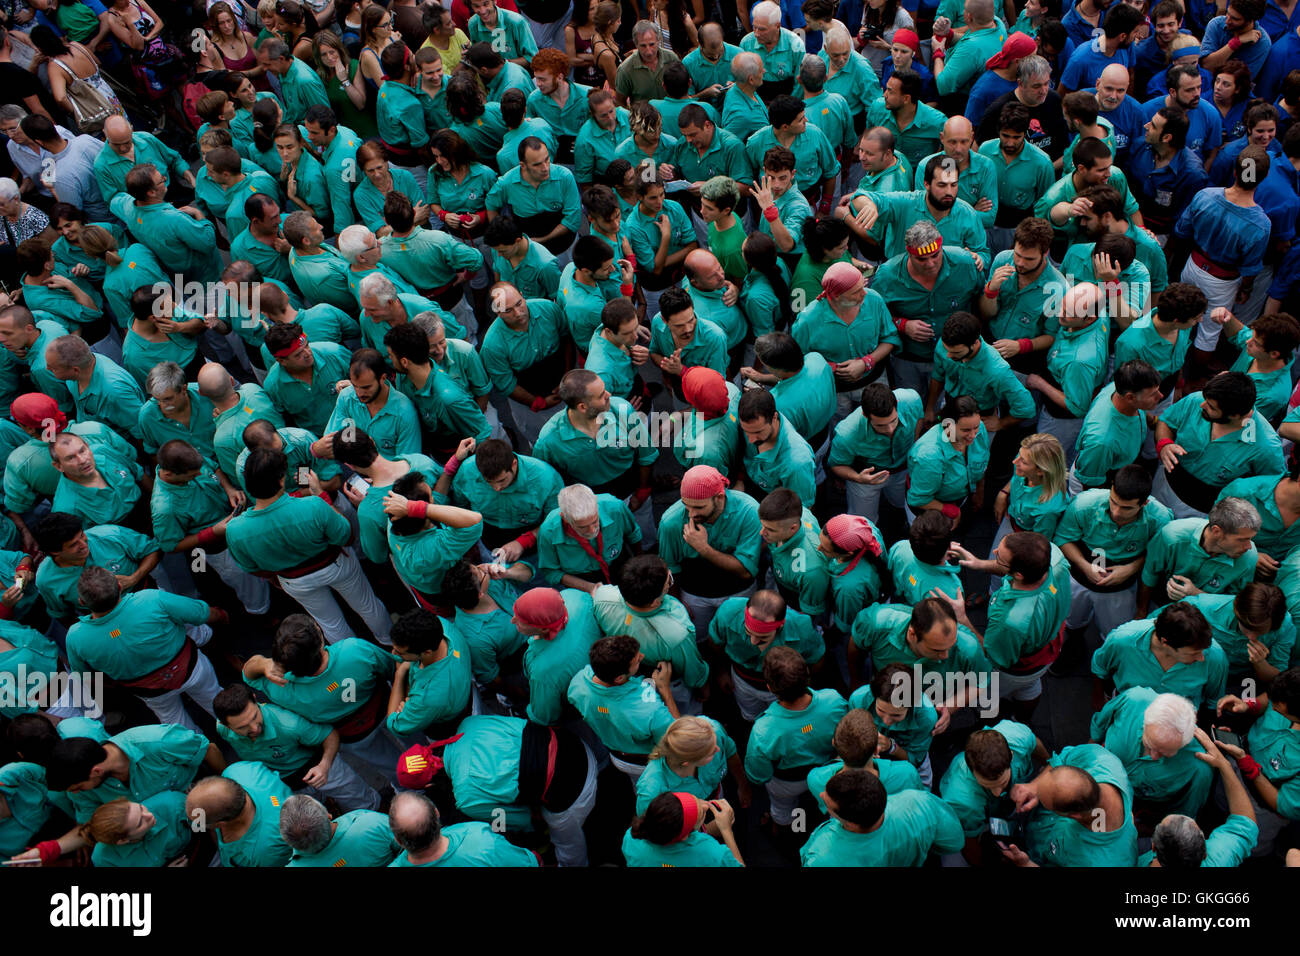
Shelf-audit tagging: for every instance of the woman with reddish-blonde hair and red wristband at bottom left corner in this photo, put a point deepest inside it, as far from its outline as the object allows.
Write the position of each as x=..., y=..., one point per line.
x=153, y=833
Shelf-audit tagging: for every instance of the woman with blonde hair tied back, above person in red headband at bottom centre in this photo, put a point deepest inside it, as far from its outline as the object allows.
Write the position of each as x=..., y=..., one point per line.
x=694, y=756
